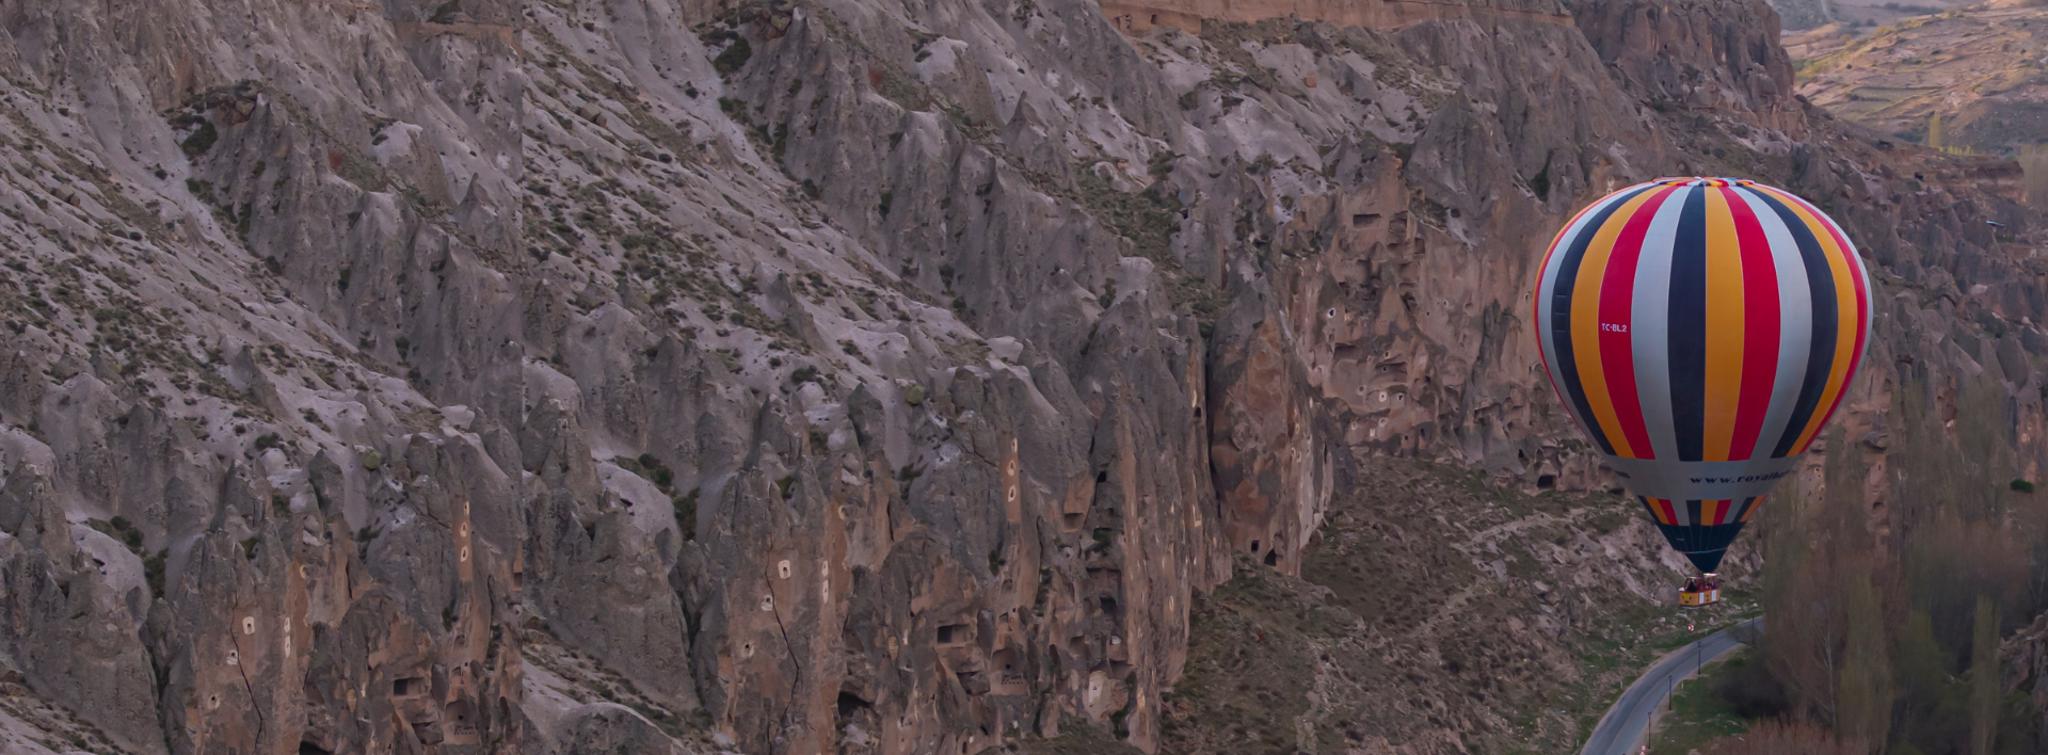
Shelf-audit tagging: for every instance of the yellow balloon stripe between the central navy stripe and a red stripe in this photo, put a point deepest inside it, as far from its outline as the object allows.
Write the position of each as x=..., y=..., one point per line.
x=1723, y=328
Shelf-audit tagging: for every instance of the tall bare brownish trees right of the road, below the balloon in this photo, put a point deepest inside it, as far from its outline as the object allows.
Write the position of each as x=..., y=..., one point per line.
x=1904, y=648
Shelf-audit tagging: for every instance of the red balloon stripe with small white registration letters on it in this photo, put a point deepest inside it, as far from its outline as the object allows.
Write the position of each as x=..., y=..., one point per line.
x=1617, y=306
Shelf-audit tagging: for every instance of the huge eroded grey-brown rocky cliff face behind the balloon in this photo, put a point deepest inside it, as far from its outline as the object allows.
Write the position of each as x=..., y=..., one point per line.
x=796, y=377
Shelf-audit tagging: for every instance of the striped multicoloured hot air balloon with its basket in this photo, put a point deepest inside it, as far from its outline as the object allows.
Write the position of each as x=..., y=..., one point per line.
x=1703, y=332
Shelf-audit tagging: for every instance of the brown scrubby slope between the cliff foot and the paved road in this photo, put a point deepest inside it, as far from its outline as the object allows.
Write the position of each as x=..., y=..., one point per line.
x=1439, y=613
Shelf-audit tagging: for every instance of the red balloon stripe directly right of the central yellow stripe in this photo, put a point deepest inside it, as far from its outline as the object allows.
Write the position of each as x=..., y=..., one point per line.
x=1760, y=326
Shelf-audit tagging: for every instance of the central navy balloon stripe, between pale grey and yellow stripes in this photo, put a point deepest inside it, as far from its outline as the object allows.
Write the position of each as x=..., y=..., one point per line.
x=1687, y=330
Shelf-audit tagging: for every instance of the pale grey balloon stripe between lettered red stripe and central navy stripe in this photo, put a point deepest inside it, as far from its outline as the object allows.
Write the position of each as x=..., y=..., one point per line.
x=1650, y=322
